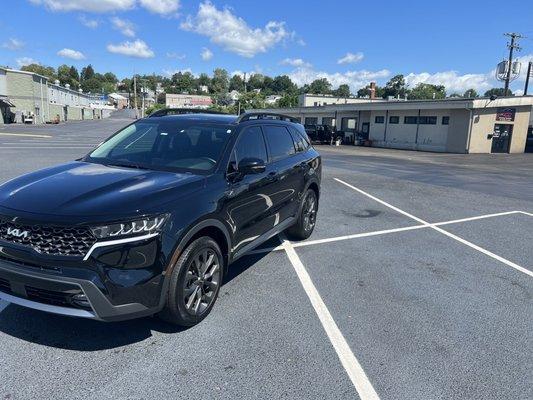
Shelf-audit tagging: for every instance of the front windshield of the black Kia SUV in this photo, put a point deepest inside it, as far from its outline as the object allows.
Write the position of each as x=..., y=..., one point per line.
x=166, y=145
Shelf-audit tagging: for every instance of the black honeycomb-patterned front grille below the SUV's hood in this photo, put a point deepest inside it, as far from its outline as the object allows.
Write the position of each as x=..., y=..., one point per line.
x=49, y=240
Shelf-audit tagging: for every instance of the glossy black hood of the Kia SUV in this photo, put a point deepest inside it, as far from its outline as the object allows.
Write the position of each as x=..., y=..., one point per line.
x=87, y=189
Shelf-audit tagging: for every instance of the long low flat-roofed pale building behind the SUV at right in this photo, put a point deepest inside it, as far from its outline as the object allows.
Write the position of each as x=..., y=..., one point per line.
x=451, y=125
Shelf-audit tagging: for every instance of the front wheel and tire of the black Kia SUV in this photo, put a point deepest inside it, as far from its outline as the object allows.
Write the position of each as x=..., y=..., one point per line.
x=194, y=283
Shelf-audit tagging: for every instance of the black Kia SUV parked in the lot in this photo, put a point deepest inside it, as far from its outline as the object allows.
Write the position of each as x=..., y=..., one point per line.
x=149, y=221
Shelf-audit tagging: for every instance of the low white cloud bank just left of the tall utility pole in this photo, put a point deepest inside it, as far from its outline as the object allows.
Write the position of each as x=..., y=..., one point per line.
x=453, y=81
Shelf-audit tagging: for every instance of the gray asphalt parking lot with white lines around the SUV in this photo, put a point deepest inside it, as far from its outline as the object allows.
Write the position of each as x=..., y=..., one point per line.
x=416, y=284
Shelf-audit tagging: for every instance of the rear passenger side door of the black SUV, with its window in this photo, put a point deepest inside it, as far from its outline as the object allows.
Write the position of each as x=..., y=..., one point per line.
x=285, y=169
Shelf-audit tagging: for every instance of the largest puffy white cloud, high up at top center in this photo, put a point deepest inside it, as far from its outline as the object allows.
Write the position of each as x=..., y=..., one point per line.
x=233, y=33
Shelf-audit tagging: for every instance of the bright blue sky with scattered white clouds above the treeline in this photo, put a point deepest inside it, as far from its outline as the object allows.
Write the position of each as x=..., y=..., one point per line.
x=455, y=43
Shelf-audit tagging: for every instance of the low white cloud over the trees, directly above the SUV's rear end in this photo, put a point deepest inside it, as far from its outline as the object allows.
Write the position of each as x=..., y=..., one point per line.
x=355, y=79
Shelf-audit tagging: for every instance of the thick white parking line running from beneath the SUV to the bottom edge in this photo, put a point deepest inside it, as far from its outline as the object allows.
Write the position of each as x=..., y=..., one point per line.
x=349, y=361
